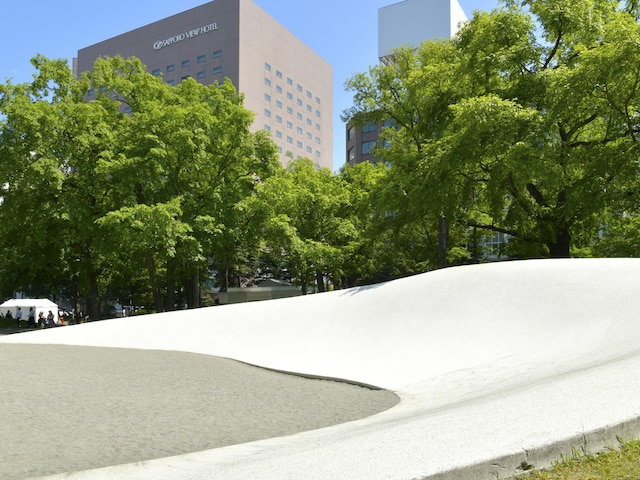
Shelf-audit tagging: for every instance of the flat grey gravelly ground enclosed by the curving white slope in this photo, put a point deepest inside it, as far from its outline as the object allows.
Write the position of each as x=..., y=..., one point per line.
x=75, y=408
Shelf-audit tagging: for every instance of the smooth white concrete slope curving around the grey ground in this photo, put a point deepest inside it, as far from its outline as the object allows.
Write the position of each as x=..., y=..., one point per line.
x=497, y=366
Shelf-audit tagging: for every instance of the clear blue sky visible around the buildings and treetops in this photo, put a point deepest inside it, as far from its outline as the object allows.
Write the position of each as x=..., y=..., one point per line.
x=343, y=32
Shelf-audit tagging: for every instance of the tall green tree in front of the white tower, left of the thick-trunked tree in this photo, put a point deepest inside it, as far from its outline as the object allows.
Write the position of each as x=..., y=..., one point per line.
x=413, y=96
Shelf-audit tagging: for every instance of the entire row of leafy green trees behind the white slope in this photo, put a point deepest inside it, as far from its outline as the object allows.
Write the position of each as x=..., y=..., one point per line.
x=524, y=125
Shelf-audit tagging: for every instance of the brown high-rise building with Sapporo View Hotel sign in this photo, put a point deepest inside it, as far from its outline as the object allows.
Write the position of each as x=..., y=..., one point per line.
x=285, y=83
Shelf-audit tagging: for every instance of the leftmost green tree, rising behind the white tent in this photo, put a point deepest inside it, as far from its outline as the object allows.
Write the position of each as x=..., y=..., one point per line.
x=50, y=138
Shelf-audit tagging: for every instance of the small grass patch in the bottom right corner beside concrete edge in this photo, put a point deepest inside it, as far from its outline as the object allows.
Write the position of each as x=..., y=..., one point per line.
x=613, y=464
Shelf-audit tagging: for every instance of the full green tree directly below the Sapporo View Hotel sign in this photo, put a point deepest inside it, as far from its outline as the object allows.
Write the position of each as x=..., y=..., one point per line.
x=187, y=158
